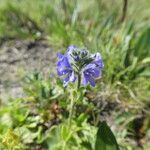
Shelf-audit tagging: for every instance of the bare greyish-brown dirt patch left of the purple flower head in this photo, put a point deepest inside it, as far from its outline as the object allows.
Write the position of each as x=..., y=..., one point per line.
x=18, y=57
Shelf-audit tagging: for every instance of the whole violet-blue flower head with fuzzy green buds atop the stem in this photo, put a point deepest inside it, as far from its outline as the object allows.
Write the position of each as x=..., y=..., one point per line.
x=79, y=64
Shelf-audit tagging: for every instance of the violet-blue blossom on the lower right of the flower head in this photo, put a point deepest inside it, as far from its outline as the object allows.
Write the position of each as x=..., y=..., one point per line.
x=89, y=73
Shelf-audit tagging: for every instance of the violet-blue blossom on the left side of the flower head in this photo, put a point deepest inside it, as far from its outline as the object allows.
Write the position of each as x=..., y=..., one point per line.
x=64, y=69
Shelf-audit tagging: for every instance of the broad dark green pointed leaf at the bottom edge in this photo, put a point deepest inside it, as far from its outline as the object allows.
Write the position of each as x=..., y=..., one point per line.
x=105, y=139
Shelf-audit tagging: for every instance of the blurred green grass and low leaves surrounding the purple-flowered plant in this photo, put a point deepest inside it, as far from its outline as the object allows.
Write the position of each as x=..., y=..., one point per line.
x=123, y=39
